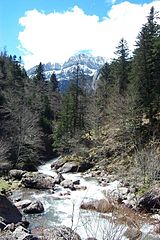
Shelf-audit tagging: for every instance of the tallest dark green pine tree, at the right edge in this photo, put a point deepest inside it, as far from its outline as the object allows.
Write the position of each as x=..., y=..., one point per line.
x=147, y=68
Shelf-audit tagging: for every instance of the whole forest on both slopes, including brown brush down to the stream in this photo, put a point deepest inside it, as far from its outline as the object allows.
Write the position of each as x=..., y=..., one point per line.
x=118, y=121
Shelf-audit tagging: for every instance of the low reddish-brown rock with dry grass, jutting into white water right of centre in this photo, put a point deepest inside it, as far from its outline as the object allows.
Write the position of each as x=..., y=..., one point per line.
x=101, y=205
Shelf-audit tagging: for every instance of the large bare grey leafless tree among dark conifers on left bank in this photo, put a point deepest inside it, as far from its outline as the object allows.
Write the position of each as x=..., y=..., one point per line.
x=24, y=129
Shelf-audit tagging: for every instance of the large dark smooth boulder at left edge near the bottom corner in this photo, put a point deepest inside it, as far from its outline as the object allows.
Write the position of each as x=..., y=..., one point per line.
x=8, y=211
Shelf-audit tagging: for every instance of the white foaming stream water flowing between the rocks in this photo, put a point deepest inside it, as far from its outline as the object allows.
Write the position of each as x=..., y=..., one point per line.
x=64, y=210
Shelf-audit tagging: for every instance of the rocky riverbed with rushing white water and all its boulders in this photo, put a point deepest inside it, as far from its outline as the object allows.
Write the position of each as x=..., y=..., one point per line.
x=52, y=199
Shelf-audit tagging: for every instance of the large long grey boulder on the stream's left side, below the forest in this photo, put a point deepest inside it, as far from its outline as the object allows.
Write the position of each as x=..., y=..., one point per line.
x=38, y=181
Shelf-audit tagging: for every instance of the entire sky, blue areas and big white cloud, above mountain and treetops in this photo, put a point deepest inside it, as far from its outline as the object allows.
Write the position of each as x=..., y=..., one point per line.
x=100, y=22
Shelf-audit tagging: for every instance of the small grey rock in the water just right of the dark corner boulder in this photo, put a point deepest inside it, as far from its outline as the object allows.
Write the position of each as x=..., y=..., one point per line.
x=34, y=207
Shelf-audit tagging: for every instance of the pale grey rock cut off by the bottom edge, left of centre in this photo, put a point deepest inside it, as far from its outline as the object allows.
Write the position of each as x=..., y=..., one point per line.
x=58, y=233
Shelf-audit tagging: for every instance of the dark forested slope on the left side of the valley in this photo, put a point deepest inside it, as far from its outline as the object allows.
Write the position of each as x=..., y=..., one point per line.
x=27, y=109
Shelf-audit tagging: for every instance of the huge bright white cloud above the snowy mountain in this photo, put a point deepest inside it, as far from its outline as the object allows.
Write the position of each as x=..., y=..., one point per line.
x=57, y=36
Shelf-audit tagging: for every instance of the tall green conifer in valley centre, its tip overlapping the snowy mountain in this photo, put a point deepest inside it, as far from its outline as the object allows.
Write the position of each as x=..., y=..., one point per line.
x=71, y=117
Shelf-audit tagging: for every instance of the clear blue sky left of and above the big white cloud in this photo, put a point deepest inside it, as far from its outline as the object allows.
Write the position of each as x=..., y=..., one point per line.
x=12, y=10
